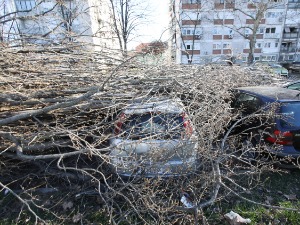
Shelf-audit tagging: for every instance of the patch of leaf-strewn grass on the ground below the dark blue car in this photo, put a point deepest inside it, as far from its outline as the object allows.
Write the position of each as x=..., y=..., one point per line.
x=277, y=189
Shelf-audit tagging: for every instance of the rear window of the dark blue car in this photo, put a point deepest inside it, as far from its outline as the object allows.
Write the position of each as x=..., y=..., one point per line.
x=290, y=115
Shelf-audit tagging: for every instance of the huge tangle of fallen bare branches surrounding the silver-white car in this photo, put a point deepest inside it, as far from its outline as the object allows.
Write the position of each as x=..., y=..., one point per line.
x=57, y=113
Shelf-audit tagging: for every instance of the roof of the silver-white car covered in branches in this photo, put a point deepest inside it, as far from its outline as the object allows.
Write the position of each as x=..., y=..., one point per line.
x=166, y=105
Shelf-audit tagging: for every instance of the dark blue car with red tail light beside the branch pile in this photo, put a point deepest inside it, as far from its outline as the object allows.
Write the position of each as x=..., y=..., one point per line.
x=281, y=133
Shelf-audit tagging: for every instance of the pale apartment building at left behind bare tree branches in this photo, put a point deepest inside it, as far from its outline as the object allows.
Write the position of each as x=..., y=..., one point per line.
x=54, y=22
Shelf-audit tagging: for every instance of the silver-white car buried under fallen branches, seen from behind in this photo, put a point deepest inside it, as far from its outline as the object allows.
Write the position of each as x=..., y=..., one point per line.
x=154, y=137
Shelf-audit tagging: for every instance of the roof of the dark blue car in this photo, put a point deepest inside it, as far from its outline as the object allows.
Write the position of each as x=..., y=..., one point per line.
x=272, y=93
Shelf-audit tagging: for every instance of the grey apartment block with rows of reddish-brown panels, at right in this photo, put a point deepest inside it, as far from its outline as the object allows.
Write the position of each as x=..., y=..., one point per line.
x=206, y=31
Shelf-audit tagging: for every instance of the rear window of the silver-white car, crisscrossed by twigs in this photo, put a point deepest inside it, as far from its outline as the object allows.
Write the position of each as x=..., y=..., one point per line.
x=159, y=125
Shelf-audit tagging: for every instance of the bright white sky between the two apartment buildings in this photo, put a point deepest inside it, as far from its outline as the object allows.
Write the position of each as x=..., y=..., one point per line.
x=157, y=24
